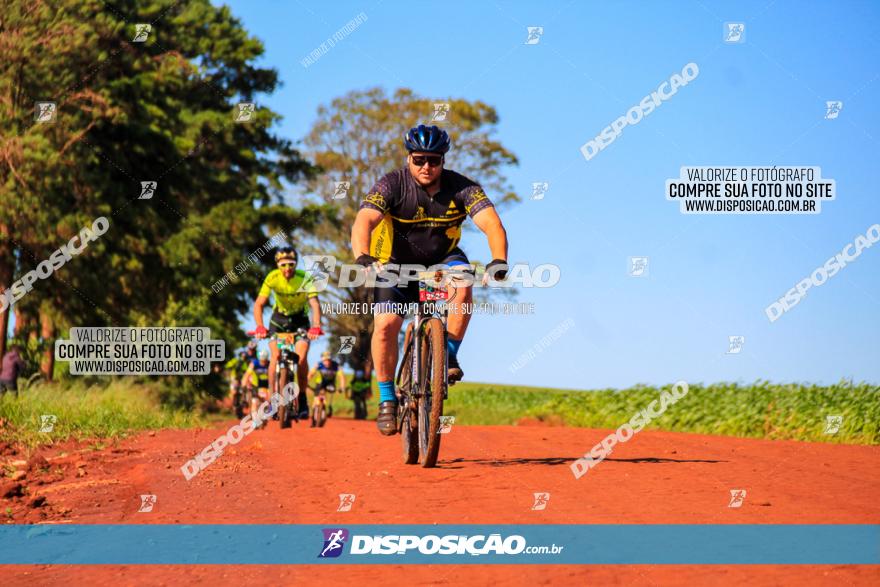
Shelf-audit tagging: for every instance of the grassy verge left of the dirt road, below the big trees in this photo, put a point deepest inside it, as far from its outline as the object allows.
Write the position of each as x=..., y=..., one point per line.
x=99, y=411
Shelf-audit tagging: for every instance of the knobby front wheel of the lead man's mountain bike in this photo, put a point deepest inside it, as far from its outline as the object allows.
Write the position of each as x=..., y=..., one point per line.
x=434, y=381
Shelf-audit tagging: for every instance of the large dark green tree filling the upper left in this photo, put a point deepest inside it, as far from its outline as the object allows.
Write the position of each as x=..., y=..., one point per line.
x=163, y=108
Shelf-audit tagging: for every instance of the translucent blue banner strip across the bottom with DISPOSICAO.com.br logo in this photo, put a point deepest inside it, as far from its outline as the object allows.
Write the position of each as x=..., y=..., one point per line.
x=217, y=544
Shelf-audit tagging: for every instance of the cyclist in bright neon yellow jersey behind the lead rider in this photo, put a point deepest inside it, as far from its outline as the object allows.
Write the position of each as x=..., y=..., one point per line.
x=293, y=294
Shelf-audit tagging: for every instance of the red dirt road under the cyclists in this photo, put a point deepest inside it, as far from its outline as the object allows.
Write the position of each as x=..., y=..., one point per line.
x=485, y=475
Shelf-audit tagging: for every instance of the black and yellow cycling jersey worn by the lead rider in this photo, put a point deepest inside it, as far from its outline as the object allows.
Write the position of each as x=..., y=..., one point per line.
x=419, y=228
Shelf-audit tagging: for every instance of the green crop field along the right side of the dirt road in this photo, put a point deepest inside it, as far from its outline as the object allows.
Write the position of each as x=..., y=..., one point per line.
x=759, y=410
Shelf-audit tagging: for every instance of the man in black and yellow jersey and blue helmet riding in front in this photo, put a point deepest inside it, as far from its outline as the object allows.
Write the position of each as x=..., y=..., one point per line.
x=414, y=215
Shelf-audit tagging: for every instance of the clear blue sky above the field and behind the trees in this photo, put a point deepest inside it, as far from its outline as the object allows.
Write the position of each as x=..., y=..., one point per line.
x=758, y=103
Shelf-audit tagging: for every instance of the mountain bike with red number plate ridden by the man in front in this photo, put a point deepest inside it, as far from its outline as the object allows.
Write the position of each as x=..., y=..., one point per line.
x=421, y=379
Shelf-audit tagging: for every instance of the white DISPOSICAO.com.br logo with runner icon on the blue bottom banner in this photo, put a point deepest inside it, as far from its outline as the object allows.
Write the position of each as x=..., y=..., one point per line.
x=452, y=544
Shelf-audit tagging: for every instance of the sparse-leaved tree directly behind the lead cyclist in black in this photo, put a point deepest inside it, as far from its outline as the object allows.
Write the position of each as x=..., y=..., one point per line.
x=358, y=138
